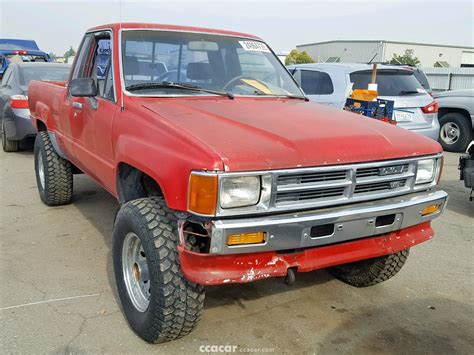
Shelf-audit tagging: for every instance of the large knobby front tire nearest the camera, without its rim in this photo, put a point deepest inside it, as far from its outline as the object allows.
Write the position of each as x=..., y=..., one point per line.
x=175, y=304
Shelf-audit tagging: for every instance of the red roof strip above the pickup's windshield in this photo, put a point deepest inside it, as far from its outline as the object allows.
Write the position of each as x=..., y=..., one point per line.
x=136, y=25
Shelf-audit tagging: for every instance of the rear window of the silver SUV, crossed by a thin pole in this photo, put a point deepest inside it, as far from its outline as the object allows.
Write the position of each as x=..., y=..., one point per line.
x=390, y=82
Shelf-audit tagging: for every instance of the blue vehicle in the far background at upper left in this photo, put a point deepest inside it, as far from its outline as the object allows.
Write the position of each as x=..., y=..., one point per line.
x=20, y=50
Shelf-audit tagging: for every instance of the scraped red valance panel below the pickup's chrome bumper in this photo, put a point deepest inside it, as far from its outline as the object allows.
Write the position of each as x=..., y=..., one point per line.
x=223, y=269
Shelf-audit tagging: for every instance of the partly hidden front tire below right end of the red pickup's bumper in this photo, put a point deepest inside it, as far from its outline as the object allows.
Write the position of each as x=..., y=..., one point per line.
x=371, y=271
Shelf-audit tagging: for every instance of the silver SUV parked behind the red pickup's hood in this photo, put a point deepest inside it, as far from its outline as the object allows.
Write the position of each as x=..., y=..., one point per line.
x=327, y=83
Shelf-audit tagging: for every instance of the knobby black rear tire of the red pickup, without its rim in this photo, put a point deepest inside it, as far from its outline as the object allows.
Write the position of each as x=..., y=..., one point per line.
x=58, y=178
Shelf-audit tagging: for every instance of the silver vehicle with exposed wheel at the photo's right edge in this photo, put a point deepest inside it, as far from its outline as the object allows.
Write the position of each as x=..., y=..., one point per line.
x=456, y=118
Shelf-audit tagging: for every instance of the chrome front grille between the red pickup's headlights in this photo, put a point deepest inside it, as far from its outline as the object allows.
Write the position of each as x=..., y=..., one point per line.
x=343, y=184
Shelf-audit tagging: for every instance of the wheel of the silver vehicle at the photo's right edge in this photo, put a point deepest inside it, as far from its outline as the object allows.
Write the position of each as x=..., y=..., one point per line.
x=455, y=132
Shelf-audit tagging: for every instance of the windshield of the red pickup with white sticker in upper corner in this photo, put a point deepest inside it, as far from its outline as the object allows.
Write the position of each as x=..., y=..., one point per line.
x=213, y=62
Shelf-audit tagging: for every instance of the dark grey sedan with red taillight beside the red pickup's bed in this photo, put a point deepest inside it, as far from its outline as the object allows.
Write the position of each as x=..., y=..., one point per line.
x=14, y=112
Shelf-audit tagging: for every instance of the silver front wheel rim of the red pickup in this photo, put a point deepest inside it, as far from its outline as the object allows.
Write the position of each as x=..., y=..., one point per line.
x=135, y=272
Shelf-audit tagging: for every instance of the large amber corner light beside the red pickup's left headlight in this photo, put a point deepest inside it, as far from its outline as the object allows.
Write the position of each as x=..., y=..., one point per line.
x=202, y=197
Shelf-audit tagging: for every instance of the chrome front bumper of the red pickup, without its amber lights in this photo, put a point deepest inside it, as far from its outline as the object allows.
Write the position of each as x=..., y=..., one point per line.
x=327, y=226
